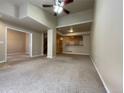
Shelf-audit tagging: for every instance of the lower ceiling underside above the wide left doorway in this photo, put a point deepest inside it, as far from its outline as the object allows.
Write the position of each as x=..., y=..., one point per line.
x=25, y=23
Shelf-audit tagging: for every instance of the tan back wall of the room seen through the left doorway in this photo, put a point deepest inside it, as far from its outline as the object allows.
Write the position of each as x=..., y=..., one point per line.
x=16, y=41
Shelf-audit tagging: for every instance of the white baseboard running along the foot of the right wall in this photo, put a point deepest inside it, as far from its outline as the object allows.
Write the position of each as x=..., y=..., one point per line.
x=104, y=84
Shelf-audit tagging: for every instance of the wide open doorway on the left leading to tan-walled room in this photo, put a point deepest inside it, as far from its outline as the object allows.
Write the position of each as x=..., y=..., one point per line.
x=18, y=45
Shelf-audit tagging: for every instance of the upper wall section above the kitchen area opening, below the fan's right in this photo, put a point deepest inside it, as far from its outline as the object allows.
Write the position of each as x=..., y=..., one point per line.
x=76, y=18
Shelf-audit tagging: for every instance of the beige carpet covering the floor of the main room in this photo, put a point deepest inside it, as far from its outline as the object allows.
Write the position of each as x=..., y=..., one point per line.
x=63, y=74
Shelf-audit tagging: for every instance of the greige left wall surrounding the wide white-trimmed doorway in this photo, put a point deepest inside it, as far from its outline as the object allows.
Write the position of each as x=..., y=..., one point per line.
x=36, y=38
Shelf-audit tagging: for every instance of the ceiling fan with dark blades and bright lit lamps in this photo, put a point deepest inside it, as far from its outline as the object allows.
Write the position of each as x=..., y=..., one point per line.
x=58, y=6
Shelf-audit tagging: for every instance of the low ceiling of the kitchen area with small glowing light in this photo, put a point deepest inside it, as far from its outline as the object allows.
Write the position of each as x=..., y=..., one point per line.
x=76, y=28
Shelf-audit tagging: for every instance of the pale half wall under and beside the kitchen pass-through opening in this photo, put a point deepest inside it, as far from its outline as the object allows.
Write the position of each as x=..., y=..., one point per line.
x=83, y=50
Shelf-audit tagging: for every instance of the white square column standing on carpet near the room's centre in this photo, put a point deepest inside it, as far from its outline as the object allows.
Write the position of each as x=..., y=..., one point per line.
x=51, y=40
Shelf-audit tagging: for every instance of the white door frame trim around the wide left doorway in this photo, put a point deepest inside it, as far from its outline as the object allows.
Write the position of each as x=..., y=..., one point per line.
x=18, y=30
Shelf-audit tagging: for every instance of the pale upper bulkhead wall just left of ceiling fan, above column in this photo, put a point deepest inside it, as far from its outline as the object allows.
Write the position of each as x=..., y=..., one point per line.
x=41, y=16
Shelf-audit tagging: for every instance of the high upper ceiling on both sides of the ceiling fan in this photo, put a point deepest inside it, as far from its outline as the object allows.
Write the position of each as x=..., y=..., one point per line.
x=76, y=6
